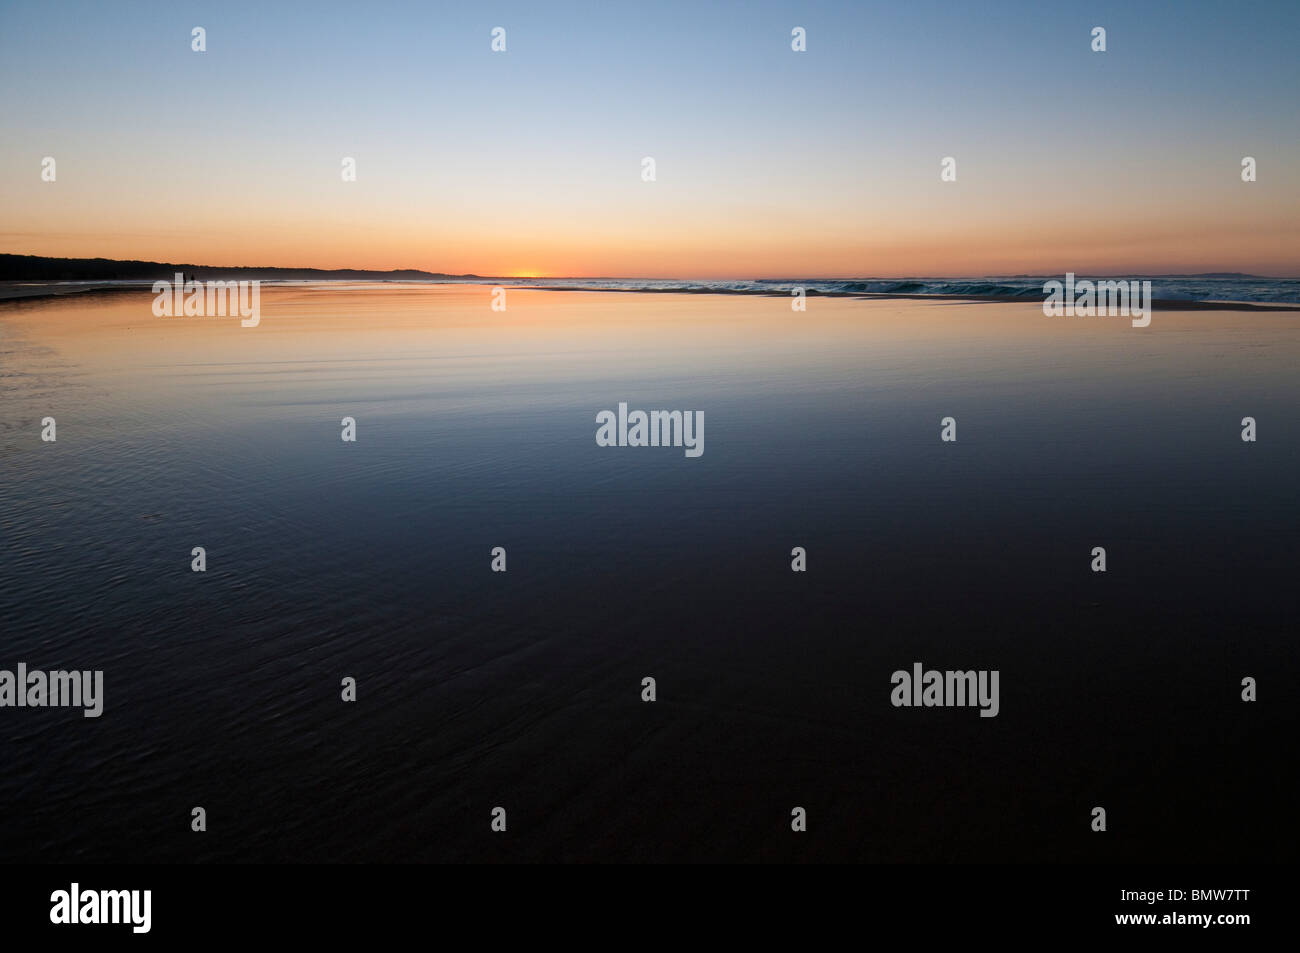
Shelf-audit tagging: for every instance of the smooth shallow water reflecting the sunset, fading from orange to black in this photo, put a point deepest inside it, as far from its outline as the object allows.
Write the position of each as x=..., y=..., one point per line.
x=476, y=430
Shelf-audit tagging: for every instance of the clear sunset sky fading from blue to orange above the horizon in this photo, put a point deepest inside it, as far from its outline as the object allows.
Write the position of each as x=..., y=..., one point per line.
x=769, y=163
